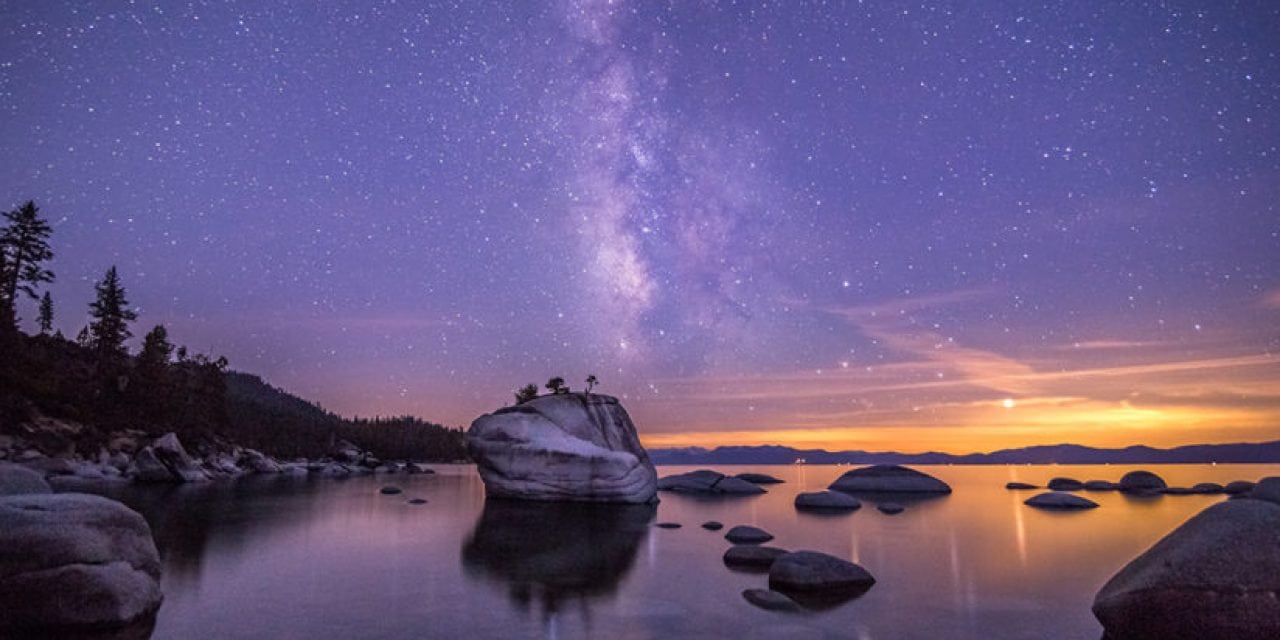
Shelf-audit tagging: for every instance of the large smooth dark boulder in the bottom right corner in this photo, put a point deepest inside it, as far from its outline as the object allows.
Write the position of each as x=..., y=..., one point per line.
x=1214, y=578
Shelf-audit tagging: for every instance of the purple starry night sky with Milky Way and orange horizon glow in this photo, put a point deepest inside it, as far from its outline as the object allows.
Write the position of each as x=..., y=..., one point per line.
x=954, y=226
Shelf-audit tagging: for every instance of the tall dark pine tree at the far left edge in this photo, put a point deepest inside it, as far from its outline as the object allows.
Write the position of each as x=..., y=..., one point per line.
x=24, y=250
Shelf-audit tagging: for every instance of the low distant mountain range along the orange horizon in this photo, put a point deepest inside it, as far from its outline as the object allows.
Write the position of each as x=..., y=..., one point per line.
x=1046, y=455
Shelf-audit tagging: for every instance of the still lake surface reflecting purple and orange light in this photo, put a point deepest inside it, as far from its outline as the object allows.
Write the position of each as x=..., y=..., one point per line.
x=319, y=557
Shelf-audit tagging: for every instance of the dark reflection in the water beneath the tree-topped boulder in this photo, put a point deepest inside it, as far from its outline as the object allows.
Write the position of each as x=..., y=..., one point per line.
x=554, y=555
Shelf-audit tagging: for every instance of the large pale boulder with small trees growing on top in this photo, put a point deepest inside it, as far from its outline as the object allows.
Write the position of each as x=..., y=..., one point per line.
x=564, y=447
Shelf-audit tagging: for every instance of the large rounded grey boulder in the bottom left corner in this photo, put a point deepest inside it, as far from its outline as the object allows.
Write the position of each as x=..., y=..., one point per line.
x=72, y=564
